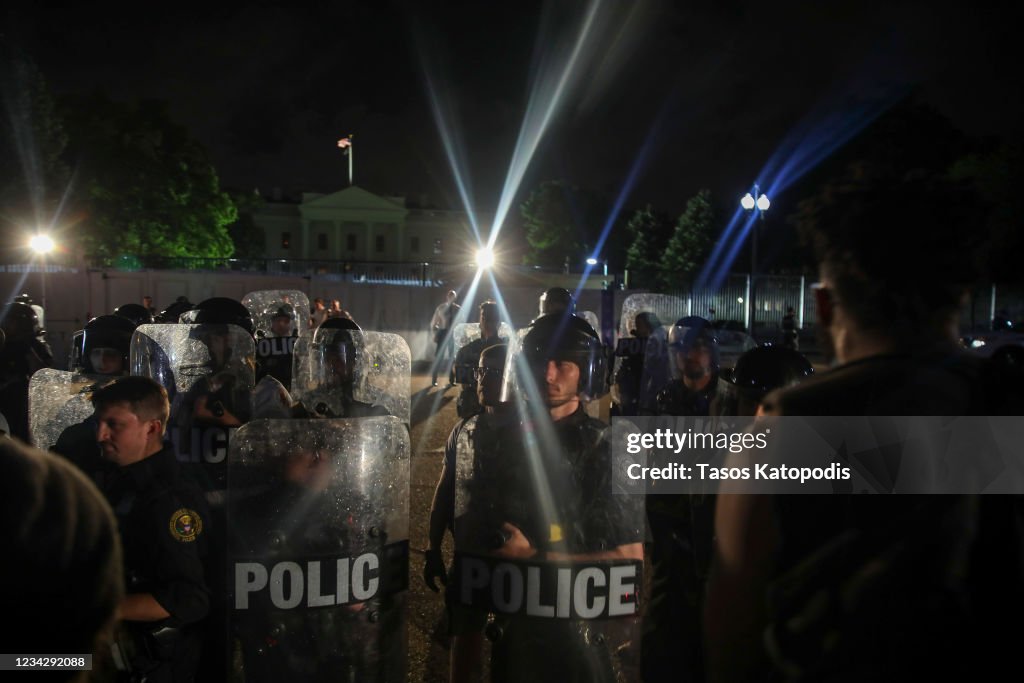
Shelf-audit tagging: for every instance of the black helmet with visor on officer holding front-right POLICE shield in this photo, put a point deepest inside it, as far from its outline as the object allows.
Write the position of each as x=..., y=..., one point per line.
x=563, y=337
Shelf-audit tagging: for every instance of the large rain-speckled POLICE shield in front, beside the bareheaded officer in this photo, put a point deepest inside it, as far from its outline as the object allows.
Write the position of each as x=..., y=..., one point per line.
x=319, y=549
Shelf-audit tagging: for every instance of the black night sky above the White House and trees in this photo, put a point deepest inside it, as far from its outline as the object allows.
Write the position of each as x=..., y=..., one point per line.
x=712, y=89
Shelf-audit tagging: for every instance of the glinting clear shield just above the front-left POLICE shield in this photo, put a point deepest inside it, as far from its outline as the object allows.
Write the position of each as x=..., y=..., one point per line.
x=380, y=370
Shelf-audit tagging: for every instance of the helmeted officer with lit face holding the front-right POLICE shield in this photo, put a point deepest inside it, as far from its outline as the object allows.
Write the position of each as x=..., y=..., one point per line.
x=541, y=492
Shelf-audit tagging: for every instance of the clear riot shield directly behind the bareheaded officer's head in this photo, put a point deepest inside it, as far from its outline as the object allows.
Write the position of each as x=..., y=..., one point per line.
x=208, y=373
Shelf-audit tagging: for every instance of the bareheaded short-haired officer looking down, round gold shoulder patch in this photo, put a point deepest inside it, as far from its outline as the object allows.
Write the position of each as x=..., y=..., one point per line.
x=161, y=519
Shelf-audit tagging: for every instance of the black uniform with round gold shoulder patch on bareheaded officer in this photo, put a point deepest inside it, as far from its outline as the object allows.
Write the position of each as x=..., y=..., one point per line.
x=162, y=520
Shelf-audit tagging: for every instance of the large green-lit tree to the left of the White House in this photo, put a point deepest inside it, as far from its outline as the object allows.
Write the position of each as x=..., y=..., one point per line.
x=149, y=187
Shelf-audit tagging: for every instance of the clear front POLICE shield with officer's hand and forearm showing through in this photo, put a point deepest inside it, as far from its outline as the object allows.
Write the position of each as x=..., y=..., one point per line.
x=532, y=513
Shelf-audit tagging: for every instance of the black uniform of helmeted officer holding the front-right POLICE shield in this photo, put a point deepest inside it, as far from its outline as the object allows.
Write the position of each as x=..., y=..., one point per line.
x=587, y=518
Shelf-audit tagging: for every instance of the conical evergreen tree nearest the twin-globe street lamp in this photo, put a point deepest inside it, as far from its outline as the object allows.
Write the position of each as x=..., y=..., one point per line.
x=691, y=244
